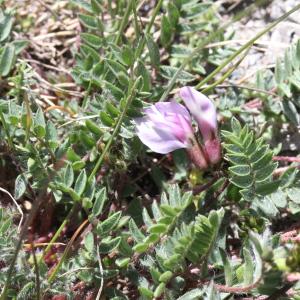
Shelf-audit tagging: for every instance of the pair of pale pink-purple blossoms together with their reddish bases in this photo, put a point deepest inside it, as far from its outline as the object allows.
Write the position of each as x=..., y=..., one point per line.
x=167, y=126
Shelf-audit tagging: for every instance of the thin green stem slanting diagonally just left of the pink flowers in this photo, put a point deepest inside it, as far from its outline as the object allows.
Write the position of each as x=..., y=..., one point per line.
x=128, y=100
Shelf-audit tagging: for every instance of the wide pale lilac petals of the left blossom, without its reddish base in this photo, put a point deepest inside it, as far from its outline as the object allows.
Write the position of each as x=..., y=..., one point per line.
x=165, y=127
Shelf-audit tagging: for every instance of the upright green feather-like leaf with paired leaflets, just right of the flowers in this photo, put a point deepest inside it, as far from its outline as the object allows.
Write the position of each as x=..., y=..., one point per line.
x=250, y=160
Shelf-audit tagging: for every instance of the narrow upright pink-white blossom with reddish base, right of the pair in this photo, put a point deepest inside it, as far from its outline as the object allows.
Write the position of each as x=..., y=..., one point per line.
x=204, y=111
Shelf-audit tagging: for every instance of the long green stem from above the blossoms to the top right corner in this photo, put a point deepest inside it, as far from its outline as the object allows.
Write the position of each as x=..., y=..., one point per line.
x=246, y=46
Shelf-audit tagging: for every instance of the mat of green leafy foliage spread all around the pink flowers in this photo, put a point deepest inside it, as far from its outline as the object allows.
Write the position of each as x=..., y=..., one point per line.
x=128, y=221
